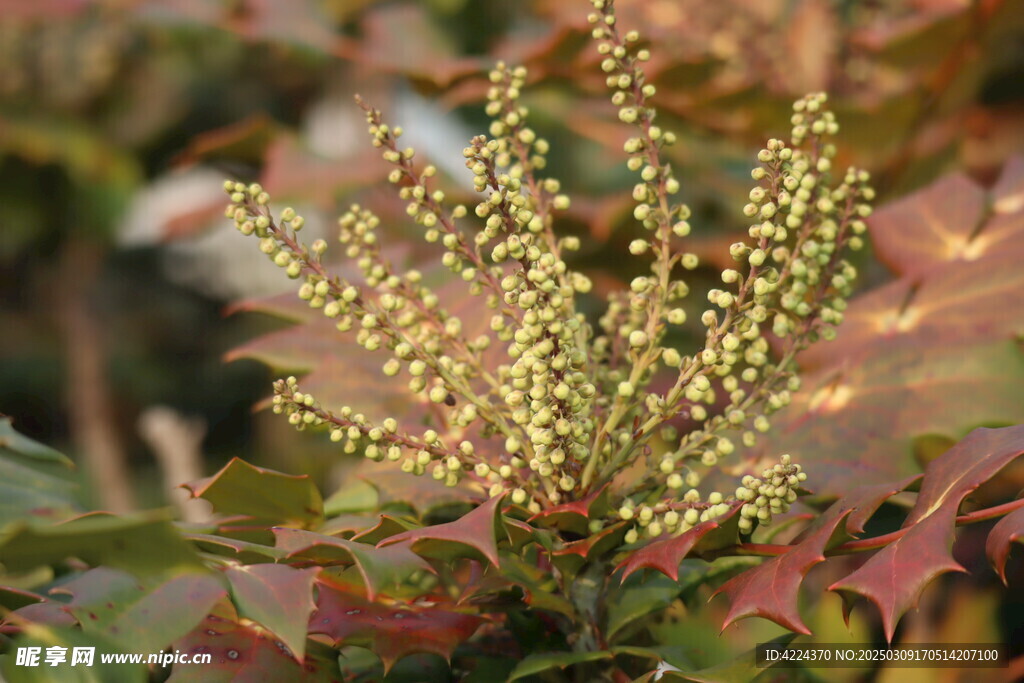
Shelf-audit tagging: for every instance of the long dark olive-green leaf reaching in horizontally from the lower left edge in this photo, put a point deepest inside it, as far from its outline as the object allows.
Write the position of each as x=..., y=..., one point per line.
x=144, y=544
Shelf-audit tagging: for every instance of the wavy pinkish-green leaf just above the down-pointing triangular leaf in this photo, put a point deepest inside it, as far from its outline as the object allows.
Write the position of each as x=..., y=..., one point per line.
x=380, y=568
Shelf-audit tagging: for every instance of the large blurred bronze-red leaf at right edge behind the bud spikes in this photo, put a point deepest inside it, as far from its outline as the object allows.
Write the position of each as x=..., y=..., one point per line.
x=933, y=353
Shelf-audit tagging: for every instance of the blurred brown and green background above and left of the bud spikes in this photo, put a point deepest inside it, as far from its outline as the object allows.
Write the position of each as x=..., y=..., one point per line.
x=129, y=336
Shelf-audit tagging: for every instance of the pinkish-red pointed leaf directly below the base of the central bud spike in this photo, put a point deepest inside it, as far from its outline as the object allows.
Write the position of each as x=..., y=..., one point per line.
x=475, y=535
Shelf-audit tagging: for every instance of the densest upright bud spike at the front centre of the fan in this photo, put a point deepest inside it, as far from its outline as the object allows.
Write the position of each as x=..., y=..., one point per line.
x=547, y=388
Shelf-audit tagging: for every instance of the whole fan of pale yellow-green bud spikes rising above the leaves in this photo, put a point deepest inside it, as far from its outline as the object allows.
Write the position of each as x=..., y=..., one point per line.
x=570, y=410
